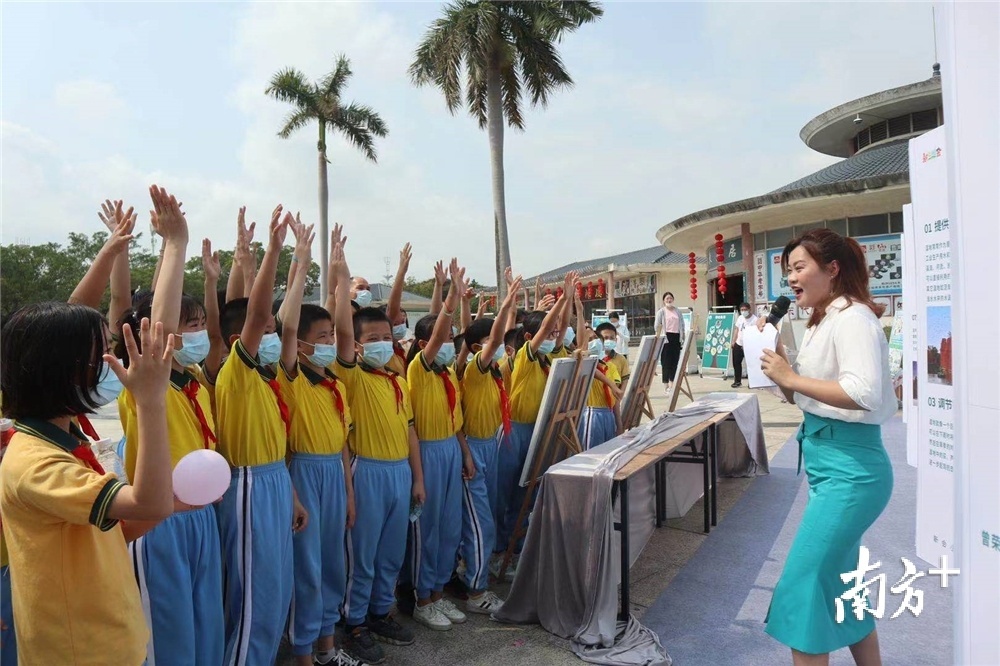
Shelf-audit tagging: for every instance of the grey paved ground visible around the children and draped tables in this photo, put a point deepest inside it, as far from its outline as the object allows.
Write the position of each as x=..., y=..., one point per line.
x=482, y=641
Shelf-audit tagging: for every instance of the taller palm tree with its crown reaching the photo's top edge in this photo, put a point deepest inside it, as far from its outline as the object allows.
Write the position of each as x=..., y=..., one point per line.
x=506, y=49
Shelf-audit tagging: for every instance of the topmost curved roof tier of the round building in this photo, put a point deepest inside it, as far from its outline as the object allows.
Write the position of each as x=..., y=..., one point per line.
x=831, y=132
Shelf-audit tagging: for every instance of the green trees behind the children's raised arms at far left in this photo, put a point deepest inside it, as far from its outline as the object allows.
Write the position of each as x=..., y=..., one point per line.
x=50, y=272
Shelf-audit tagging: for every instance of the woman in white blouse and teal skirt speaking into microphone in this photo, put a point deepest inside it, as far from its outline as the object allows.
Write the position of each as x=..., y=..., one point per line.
x=841, y=382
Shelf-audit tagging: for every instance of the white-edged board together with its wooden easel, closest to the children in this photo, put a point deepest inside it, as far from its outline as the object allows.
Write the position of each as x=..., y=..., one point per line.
x=555, y=436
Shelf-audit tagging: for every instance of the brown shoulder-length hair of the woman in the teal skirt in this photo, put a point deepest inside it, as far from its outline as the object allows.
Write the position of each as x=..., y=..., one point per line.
x=851, y=281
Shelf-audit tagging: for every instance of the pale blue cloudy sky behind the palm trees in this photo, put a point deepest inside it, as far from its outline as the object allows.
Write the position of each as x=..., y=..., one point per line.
x=677, y=107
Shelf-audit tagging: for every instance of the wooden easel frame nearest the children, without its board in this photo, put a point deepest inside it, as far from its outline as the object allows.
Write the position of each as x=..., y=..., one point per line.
x=560, y=441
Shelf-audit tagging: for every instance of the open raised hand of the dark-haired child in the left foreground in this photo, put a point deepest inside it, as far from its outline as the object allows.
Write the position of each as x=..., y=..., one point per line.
x=149, y=370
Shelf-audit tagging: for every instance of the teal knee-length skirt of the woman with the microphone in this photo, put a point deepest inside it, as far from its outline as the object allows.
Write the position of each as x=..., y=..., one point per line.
x=850, y=481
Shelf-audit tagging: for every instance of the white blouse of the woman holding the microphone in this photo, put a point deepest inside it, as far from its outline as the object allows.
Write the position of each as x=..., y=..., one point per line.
x=849, y=347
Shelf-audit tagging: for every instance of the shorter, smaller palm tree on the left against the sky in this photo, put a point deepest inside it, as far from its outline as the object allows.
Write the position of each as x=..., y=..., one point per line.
x=322, y=102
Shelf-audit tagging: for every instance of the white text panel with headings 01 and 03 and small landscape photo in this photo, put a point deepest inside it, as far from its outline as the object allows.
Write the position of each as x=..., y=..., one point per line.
x=931, y=233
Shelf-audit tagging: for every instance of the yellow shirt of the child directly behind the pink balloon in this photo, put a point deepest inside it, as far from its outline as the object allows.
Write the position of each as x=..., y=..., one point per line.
x=183, y=426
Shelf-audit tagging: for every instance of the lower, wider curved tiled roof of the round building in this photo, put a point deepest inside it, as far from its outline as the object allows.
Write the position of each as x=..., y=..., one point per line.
x=881, y=174
